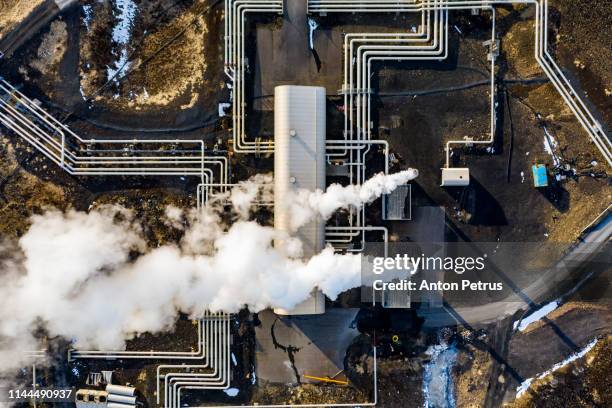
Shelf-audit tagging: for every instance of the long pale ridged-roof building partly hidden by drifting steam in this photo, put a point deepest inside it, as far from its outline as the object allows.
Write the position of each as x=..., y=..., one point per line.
x=299, y=163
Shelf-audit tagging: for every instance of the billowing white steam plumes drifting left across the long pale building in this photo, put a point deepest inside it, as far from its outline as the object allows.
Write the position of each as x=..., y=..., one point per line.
x=91, y=278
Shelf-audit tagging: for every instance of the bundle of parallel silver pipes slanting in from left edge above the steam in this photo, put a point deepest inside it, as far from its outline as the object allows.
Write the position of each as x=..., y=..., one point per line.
x=106, y=157
